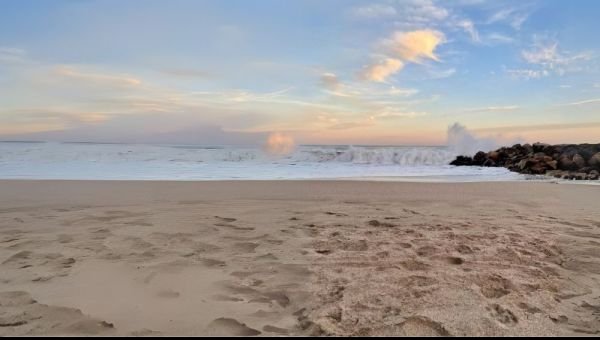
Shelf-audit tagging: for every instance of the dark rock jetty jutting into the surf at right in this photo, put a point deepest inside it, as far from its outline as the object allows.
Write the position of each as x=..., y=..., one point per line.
x=566, y=161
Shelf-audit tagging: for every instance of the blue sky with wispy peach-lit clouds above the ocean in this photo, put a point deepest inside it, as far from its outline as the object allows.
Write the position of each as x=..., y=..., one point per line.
x=318, y=72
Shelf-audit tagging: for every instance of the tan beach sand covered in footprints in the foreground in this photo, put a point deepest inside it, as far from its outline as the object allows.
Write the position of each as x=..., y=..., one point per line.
x=298, y=258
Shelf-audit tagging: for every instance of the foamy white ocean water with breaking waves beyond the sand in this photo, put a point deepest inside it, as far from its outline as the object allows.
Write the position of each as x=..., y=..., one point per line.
x=93, y=161
